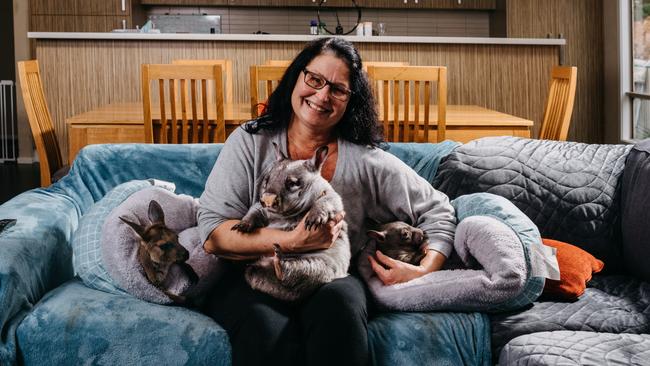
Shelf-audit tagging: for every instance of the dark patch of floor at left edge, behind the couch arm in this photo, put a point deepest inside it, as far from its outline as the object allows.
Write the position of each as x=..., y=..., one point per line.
x=17, y=178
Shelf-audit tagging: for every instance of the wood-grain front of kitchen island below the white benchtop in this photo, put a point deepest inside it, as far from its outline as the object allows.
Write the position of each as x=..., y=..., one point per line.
x=80, y=74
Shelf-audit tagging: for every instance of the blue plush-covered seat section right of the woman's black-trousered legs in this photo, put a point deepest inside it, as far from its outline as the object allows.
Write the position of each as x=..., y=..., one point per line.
x=429, y=339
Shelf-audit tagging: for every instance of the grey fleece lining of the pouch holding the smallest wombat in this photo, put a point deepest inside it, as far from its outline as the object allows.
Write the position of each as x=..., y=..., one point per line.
x=493, y=271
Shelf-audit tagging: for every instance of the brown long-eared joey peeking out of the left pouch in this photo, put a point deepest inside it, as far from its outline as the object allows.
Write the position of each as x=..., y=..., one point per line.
x=159, y=249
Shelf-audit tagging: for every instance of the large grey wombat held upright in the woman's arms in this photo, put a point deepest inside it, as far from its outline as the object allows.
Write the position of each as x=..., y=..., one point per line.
x=289, y=190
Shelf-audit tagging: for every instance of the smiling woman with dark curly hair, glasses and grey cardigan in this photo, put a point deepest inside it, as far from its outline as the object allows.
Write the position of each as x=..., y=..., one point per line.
x=330, y=104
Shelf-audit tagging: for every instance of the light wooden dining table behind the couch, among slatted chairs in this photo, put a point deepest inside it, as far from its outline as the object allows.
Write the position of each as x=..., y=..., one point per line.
x=124, y=123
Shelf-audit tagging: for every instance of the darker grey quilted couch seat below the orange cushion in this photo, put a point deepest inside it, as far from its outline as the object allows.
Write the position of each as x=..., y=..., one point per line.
x=610, y=304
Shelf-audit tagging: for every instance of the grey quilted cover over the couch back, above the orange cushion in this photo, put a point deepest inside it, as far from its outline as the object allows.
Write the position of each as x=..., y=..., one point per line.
x=568, y=189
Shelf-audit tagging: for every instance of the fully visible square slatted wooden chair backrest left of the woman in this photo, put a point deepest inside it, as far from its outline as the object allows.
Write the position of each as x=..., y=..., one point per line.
x=175, y=83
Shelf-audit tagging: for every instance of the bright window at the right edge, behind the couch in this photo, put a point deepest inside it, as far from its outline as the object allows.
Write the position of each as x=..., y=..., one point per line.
x=640, y=70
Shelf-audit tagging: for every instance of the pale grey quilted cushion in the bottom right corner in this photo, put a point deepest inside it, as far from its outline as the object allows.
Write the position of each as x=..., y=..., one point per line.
x=577, y=348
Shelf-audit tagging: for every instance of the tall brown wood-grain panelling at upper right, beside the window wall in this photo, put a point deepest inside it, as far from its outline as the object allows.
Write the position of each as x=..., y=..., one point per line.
x=580, y=23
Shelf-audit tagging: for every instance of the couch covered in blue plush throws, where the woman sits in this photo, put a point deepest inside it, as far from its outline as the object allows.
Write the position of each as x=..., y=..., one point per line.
x=49, y=317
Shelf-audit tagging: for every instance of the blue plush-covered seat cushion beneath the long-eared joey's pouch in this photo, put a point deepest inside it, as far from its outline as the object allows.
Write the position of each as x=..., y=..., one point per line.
x=74, y=325
